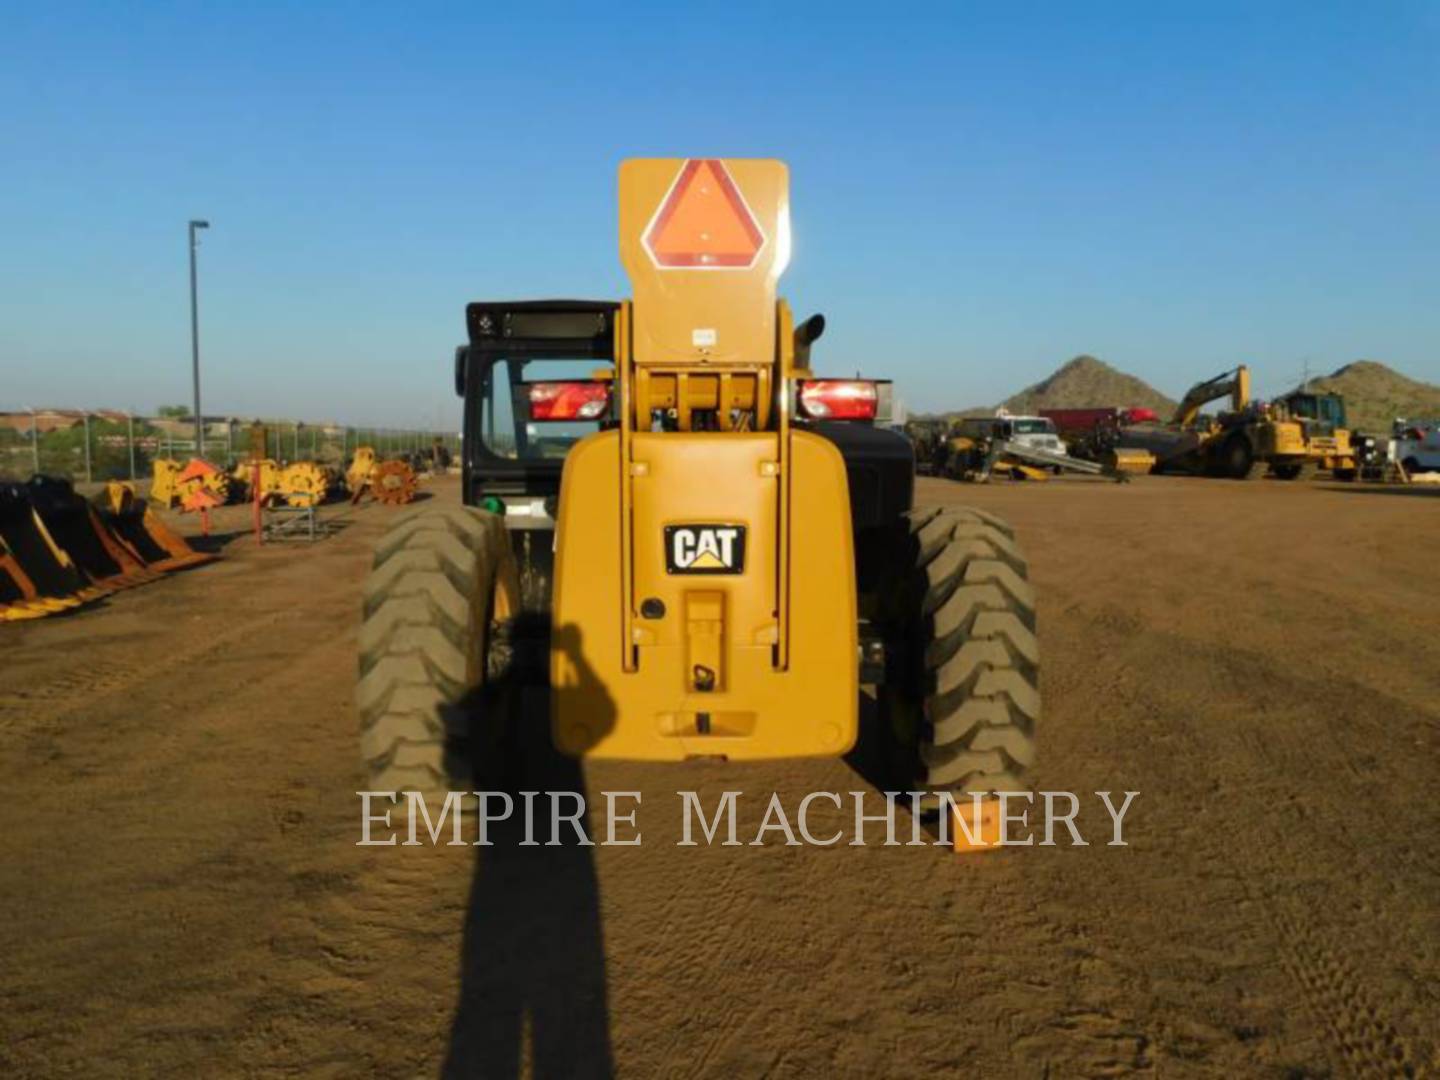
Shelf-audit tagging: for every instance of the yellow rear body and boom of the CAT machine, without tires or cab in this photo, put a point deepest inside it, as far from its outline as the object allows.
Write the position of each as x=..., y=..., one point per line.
x=705, y=595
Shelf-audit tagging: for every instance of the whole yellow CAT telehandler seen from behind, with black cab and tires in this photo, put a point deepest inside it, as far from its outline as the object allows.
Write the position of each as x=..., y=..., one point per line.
x=699, y=546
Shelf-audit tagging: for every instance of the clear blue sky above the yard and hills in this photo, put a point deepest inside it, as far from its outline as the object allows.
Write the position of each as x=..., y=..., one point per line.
x=980, y=192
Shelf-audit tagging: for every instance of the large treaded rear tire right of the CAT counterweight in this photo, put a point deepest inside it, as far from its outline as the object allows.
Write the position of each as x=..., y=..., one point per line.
x=963, y=701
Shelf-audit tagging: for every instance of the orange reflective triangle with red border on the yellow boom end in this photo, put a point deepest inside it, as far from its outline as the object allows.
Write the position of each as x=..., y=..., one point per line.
x=703, y=224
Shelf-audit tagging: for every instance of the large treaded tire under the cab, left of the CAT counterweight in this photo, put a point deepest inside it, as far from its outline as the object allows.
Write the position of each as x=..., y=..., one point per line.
x=430, y=601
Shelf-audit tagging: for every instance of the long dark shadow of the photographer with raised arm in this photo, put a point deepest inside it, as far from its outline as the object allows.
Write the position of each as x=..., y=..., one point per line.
x=532, y=957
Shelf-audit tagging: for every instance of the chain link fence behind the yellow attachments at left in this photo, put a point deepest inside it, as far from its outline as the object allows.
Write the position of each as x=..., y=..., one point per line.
x=99, y=446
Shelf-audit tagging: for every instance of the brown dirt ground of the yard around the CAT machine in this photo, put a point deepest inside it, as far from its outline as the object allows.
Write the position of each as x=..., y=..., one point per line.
x=182, y=892
